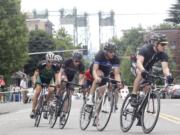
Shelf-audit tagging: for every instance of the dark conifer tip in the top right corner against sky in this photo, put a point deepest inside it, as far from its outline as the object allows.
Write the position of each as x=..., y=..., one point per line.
x=174, y=13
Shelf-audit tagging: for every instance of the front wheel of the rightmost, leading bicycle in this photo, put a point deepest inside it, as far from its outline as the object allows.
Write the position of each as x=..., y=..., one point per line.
x=150, y=113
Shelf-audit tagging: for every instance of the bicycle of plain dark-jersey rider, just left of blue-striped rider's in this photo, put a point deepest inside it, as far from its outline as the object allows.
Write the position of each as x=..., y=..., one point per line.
x=62, y=107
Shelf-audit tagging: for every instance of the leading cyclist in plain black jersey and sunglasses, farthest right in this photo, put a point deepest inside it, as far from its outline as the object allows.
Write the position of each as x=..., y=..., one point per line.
x=147, y=56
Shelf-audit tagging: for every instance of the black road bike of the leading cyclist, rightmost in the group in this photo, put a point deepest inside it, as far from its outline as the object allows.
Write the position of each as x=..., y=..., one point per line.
x=148, y=106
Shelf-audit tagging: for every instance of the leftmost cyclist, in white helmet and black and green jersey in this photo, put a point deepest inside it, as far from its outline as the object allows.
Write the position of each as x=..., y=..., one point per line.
x=45, y=73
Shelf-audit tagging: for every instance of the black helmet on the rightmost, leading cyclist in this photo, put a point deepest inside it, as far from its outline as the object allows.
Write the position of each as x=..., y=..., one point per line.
x=159, y=38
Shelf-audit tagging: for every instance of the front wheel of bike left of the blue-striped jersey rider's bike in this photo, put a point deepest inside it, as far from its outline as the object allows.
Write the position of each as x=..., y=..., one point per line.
x=65, y=111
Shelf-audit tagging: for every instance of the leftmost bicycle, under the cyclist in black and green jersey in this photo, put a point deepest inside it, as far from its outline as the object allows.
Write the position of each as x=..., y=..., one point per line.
x=41, y=105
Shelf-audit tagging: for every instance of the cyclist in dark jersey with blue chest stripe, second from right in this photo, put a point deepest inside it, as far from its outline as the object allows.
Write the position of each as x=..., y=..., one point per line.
x=104, y=62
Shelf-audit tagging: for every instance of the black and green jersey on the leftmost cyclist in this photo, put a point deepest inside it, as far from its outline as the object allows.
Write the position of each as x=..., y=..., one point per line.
x=46, y=75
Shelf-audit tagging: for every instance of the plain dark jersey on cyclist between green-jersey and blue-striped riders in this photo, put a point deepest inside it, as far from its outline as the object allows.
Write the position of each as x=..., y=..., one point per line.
x=70, y=69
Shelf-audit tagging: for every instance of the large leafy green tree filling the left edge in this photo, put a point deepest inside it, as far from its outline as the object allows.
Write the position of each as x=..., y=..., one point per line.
x=13, y=37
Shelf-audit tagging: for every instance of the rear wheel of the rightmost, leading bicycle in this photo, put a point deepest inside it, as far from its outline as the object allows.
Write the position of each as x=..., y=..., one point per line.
x=127, y=114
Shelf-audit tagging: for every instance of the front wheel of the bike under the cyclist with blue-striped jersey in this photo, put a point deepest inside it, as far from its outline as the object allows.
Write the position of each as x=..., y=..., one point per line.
x=105, y=111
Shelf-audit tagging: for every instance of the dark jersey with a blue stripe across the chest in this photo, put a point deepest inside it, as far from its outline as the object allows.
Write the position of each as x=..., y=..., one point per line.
x=105, y=65
